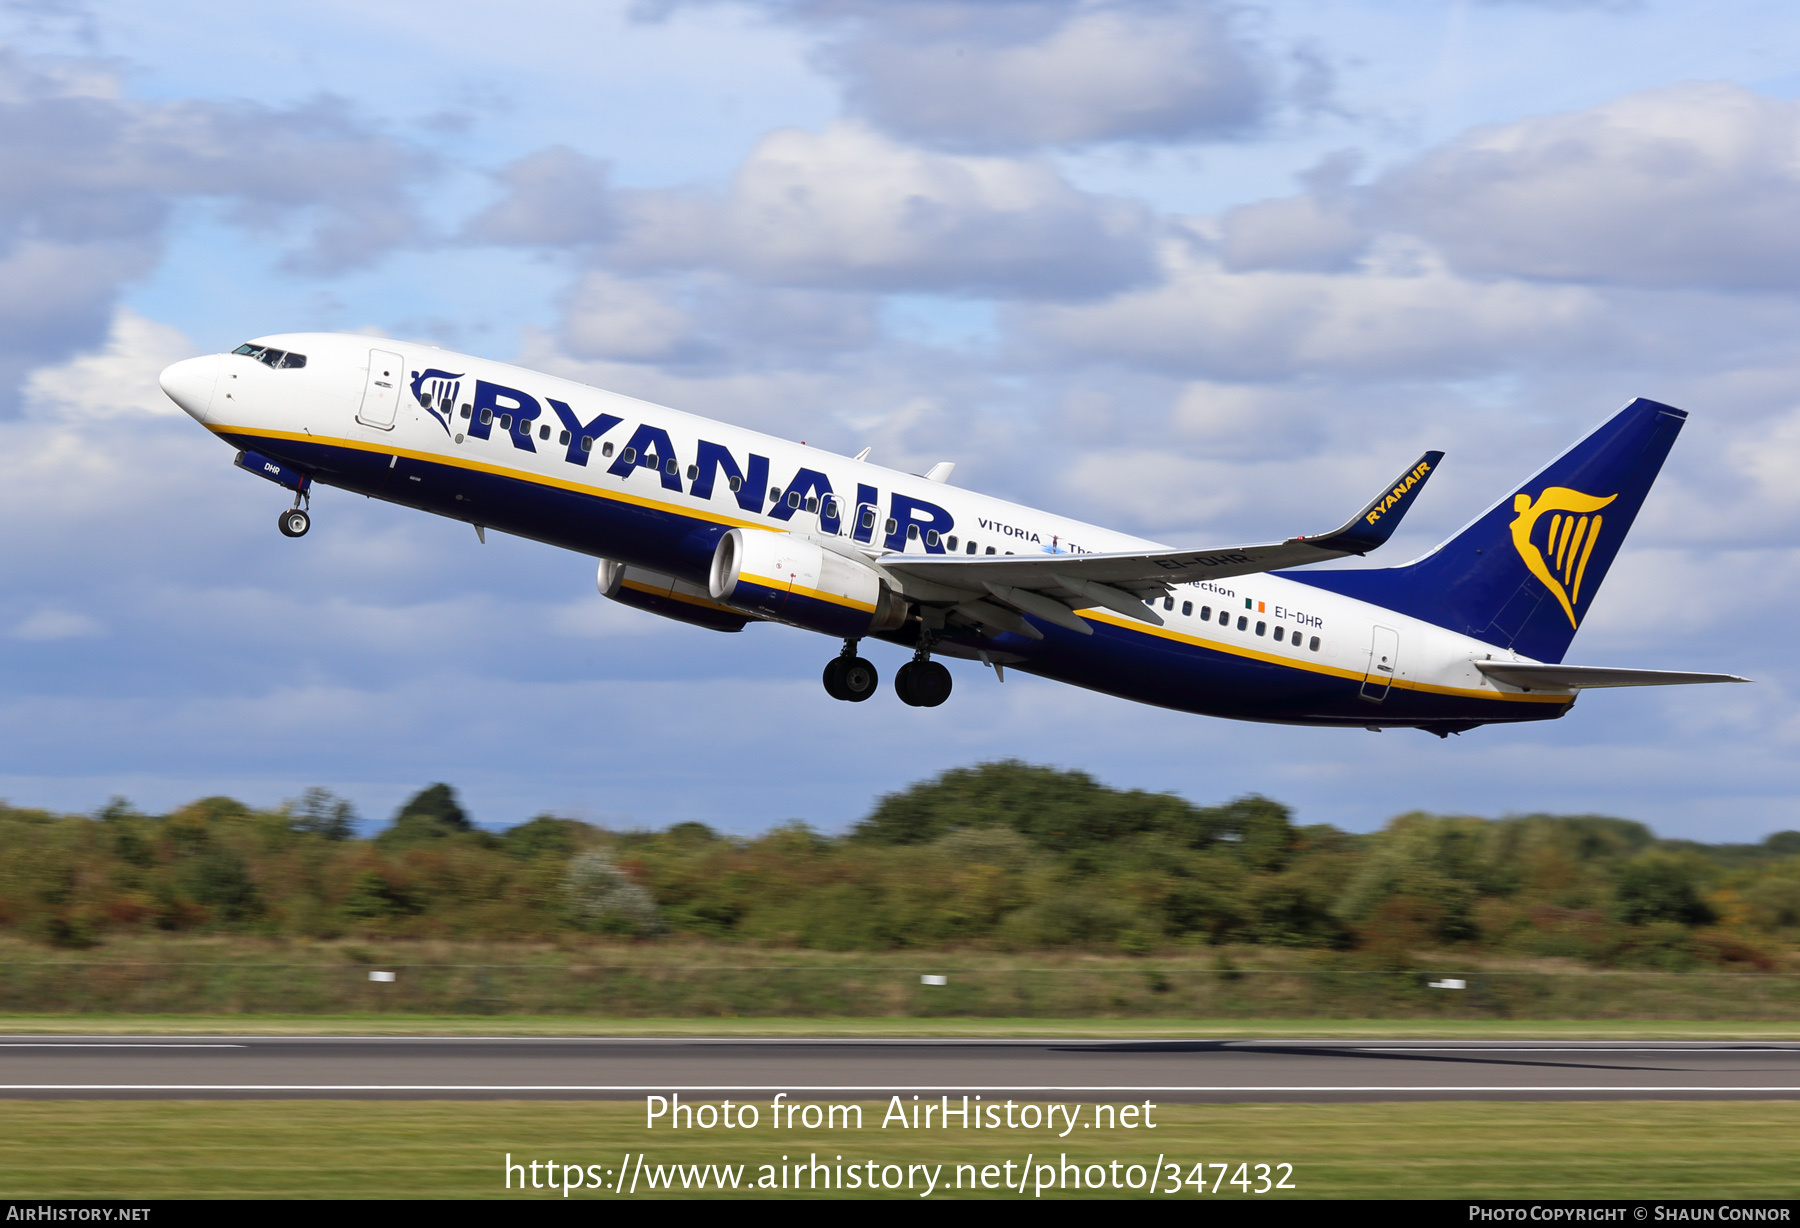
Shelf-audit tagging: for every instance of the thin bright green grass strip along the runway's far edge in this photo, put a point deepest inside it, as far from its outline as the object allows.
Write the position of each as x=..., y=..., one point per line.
x=897, y=1027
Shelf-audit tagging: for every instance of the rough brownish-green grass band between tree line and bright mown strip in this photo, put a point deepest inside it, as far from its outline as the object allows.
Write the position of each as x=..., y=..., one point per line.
x=687, y=980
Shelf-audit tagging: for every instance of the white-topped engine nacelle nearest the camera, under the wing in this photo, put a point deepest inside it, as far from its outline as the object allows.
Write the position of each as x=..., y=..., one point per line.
x=791, y=581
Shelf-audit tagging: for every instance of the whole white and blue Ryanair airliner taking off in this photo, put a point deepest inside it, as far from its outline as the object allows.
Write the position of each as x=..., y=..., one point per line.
x=719, y=527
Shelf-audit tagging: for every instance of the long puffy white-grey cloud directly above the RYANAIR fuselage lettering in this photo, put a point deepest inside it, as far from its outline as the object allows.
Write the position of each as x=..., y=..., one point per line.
x=847, y=210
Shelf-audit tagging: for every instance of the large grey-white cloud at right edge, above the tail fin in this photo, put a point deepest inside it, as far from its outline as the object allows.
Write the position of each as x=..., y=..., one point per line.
x=1684, y=186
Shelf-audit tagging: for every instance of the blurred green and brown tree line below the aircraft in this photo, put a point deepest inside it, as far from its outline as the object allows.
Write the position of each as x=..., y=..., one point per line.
x=1002, y=856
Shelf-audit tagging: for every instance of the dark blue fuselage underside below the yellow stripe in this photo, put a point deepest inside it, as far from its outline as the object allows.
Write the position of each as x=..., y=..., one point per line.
x=1115, y=660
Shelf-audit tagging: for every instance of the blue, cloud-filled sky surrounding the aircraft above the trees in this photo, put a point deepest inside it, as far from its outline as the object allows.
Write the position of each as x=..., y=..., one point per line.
x=1198, y=271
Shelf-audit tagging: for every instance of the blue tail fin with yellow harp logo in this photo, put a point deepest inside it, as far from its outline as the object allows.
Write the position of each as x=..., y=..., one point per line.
x=1524, y=573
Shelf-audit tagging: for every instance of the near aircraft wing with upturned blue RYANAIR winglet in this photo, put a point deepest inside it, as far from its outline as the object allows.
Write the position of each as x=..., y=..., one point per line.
x=1050, y=586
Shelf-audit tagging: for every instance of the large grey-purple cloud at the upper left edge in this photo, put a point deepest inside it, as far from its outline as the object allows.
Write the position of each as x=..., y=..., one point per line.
x=93, y=179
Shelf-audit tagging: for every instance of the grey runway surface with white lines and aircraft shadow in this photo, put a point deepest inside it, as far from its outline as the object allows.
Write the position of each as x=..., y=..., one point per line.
x=472, y=1069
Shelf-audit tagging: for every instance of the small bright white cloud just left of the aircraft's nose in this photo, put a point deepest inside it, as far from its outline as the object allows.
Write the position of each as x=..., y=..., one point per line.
x=118, y=379
